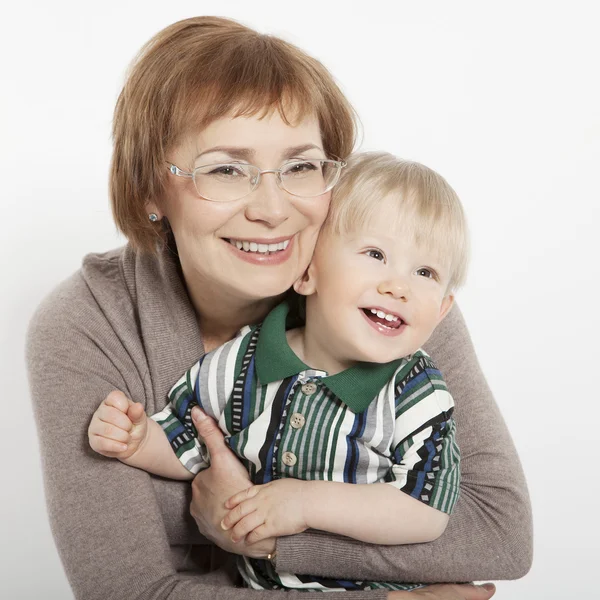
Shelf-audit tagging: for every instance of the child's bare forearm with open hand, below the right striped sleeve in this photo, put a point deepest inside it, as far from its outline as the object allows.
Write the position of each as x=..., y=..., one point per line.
x=376, y=513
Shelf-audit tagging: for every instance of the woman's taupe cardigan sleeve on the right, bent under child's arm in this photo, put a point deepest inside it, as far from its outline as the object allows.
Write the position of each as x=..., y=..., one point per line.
x=490, y=533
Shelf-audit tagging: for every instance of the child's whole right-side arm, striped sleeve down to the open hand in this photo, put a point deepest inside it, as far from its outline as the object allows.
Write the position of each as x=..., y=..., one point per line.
x=422, y=484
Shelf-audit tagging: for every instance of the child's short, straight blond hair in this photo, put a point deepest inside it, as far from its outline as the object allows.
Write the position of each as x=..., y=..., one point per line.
x=429, y=208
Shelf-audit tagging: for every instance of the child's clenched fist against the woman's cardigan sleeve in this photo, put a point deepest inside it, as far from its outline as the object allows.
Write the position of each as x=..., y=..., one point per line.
x=119, y=427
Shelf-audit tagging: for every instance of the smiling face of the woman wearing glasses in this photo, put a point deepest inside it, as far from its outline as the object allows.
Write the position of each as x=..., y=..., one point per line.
x=206, y=231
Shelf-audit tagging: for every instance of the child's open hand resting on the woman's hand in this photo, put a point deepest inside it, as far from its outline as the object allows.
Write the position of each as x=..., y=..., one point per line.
x=264, y=511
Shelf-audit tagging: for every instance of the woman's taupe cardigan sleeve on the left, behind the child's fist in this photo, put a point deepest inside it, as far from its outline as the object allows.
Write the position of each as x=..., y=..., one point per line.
x=105, y=516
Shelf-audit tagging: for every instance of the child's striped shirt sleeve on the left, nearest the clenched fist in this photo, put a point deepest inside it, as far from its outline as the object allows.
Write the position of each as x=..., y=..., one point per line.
x=176, y=421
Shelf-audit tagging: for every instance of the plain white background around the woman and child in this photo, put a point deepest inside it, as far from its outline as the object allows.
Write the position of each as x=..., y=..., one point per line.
x=502, y=99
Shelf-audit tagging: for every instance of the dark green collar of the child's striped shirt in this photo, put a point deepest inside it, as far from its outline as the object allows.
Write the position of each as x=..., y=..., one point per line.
x=275, y=360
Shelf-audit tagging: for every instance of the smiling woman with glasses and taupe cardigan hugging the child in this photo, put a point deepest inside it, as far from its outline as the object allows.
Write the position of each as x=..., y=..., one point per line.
x=209, y=91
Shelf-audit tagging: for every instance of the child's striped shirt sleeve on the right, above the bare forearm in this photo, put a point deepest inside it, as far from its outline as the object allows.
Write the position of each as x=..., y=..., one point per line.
x=425, y=453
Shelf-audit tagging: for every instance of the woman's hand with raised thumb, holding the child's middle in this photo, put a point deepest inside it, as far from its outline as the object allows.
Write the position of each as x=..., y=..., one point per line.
x=212, y=487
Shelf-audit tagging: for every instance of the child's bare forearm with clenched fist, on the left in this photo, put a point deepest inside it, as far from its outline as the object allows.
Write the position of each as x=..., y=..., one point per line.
x=121, y=429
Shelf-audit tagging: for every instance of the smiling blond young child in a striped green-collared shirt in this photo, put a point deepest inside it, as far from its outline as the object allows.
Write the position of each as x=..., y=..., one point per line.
x=348, y=398
